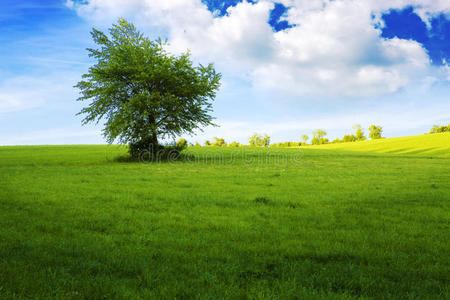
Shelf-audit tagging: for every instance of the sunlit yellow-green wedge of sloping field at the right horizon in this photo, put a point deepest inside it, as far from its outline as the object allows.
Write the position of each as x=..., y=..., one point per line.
x=437, y=144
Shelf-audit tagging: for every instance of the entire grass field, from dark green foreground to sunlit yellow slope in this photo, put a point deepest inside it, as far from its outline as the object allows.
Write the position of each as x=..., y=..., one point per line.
x=235, y=223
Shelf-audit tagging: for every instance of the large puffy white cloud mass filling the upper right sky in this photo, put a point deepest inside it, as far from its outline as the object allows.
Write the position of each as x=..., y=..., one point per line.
x=335, y=49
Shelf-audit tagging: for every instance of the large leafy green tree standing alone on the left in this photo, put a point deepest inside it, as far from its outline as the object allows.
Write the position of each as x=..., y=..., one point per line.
x=142, y=92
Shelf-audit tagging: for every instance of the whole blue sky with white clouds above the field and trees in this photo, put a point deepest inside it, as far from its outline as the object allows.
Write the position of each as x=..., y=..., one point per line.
x=288, y=66
